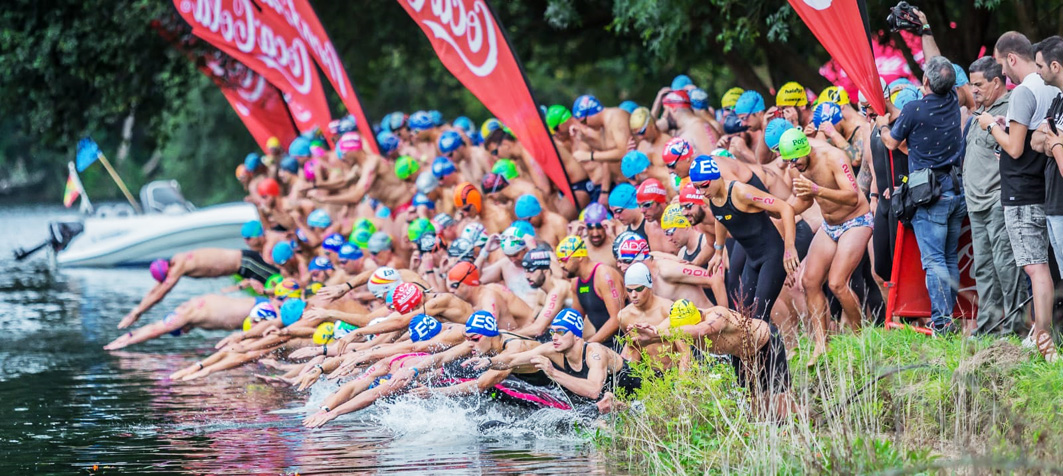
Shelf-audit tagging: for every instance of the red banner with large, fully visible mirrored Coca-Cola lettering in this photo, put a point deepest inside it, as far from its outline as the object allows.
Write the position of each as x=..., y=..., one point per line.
x=272, y=49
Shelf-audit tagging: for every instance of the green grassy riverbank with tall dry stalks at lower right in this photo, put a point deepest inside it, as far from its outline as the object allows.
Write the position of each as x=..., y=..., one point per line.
x=944, y=405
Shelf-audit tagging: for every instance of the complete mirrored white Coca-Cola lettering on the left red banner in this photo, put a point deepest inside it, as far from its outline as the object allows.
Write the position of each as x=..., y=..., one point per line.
x=235, y=23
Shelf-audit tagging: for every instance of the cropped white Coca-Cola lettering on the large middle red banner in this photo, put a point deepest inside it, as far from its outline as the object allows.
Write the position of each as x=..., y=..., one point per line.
x=475, y=27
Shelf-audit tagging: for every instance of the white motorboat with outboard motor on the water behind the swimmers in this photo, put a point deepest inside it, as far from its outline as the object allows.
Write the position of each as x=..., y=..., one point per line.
x=117, y=236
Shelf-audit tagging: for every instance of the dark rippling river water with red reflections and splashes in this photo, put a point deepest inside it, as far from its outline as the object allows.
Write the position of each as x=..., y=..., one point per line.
x=70, y=407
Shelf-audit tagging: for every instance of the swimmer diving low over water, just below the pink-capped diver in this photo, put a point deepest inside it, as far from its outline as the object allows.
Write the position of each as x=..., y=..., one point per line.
x=210, y=312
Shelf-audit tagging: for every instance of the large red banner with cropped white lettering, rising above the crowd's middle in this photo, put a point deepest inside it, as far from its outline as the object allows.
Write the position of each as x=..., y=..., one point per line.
x=470, y=42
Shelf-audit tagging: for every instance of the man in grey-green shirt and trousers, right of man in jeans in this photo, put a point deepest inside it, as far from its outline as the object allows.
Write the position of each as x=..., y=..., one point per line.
x=1002, y=290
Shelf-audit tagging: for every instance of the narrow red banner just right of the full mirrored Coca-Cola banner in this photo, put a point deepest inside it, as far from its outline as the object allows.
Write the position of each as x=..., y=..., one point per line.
x=300, y=16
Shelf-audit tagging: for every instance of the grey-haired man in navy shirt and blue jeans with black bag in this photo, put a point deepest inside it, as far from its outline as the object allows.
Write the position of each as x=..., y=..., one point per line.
x=933, y=129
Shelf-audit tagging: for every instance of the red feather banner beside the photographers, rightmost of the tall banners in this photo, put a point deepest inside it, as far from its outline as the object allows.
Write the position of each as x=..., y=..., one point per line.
x=840, y=27
